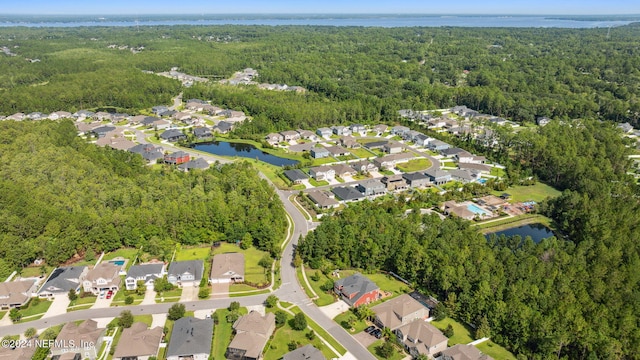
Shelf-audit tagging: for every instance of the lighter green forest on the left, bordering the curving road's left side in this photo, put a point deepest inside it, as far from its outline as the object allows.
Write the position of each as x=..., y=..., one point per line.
x=61, y=196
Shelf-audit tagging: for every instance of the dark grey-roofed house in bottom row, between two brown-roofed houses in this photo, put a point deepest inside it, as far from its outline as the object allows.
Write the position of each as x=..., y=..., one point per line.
x=190, y=339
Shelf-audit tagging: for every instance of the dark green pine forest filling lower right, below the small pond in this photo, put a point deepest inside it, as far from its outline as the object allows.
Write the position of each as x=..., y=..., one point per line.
x=577, y=297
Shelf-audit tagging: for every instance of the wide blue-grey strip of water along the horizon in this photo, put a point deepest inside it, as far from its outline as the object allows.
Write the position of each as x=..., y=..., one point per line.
x=363, y=21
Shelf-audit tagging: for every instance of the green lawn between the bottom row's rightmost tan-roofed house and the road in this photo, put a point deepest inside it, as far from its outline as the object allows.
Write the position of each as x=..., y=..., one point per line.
x=278, y=345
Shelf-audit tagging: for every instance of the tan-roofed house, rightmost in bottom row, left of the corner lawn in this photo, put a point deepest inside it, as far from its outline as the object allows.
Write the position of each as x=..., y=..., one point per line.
x=252, y=332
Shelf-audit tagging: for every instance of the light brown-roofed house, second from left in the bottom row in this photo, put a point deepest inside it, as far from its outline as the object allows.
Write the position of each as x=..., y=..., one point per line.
x=84, y=339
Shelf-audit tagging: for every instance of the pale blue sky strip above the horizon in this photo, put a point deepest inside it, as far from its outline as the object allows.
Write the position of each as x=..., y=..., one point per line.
x=139, y=7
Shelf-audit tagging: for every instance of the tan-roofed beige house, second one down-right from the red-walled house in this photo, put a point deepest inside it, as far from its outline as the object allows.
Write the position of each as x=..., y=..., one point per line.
x=419, y=337
